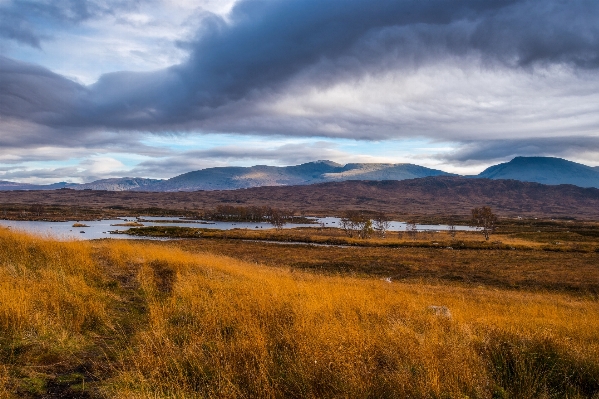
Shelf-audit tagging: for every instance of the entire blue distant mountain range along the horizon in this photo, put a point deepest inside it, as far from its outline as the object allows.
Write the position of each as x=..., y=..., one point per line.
x=545, y=170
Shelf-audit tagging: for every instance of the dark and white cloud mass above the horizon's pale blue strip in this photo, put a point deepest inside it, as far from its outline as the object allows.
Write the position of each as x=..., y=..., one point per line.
x=463, y=71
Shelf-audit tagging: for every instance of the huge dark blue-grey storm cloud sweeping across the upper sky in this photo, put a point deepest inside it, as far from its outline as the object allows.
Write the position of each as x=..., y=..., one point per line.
x=264, y=45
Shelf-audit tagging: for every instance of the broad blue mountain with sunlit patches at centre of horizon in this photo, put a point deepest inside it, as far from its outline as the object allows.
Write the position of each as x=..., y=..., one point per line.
x=230, y=178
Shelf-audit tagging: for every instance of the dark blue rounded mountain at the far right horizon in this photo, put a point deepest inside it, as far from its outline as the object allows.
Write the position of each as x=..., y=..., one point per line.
x=545, y=170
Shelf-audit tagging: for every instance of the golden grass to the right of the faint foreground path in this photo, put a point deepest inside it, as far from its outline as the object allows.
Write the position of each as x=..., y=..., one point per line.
x=229, y=330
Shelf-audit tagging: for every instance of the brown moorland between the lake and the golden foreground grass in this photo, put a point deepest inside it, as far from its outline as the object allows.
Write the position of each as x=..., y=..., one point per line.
x=531, y=255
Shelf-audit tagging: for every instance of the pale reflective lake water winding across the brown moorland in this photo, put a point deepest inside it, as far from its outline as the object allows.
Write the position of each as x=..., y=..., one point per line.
x=102, y=228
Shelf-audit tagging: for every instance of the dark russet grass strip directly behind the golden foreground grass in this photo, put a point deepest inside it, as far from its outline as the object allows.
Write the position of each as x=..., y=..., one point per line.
x=566, y=271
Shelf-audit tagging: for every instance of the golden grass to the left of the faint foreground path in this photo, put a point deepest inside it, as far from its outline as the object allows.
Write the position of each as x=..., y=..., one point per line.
x=51, y=304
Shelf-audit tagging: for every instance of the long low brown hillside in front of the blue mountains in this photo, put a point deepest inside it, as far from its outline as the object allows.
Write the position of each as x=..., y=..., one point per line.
x=438, y=195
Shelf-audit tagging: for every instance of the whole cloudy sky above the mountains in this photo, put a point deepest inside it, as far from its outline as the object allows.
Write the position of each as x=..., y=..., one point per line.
x=93, y=89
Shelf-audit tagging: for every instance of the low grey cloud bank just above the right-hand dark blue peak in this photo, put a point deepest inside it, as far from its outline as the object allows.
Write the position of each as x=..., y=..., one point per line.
x=485, y=150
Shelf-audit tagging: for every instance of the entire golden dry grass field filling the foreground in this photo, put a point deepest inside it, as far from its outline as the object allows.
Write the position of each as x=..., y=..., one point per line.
x=164, y=320
